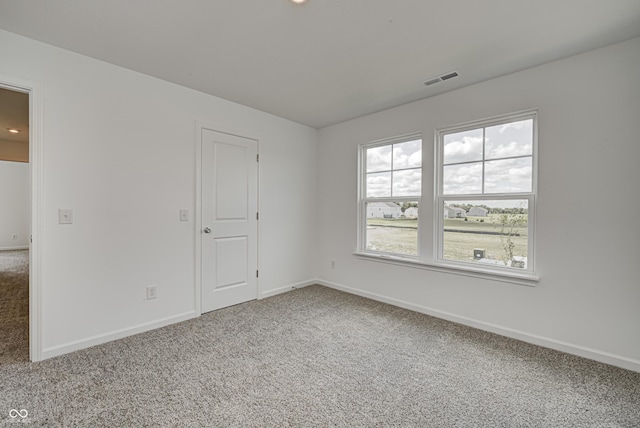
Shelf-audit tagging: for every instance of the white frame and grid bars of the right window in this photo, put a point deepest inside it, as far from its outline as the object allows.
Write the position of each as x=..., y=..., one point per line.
x=440, y=198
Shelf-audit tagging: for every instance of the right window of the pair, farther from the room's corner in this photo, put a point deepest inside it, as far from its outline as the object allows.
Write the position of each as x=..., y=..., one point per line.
x=485, y=195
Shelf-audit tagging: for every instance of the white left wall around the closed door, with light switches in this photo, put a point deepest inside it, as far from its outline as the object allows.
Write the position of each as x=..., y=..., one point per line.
x=119, y=149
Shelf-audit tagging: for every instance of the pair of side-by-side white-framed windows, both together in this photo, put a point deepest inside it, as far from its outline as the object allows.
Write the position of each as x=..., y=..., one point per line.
x=479, y=215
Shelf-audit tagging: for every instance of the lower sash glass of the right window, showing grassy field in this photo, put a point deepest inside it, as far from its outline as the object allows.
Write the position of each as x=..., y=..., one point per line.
x=489, y=232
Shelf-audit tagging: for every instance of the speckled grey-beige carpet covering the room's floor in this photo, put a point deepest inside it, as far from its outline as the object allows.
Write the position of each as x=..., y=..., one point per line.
x=315, y=357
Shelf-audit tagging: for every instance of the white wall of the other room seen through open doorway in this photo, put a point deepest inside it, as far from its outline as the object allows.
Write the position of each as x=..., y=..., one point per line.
x=14, y=205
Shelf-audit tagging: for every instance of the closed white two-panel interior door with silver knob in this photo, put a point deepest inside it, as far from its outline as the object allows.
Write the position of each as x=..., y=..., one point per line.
x=229, y=220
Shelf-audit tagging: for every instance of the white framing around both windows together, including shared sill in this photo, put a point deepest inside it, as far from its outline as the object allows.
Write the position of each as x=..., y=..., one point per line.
x=431, y=228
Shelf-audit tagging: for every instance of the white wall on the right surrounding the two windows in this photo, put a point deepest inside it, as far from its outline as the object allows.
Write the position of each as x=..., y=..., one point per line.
x=587, y=299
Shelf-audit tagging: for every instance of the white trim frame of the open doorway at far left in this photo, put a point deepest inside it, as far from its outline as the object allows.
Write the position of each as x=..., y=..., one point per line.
x=36, y=185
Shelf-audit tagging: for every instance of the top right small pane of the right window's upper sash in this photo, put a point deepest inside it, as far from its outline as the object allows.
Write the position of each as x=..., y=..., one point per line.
x=509, y=139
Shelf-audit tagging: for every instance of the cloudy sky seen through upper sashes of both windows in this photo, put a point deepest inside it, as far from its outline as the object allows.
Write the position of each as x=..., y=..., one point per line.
x=495, y=159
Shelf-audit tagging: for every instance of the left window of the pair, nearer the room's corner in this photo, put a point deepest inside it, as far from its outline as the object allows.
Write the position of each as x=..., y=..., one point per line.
x=390, y=193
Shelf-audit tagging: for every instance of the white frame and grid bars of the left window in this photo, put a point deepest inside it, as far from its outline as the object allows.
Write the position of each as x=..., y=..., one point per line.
x=363, y=199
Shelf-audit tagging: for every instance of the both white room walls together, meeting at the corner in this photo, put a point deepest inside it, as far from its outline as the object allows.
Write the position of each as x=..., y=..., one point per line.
x=119, y=149
